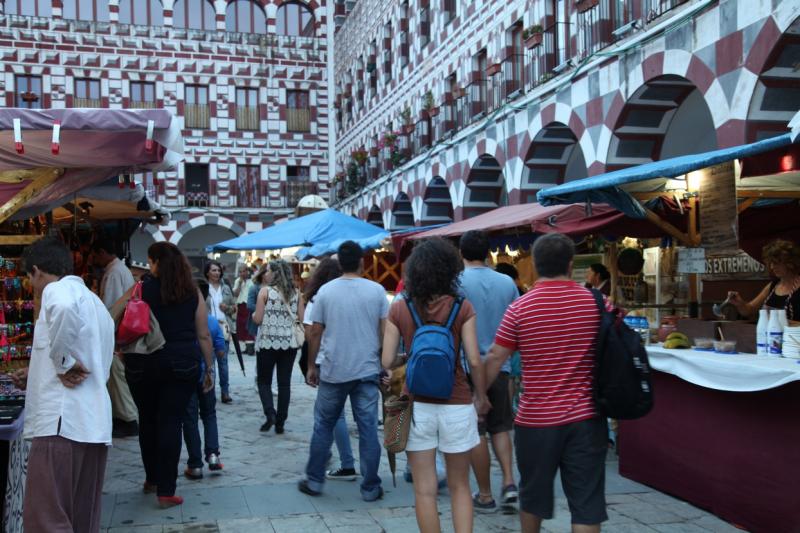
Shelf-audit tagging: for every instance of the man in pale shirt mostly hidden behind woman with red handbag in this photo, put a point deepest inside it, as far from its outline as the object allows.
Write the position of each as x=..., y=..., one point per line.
x=116, y=281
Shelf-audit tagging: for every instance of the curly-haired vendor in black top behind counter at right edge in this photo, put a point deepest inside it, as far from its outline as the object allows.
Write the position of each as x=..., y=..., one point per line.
x=782, y=258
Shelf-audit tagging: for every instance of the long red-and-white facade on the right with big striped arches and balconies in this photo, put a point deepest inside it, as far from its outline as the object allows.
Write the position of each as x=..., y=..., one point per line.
x=446, y=109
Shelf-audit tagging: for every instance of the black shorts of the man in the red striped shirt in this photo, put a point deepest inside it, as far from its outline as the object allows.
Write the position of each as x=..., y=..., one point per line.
x=579, y=451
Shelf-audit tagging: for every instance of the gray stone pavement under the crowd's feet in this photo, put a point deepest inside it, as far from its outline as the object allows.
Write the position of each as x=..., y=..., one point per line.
x=257, y=491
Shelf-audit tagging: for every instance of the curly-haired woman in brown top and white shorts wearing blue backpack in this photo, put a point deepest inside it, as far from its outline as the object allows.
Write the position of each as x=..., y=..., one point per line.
x=431, y=284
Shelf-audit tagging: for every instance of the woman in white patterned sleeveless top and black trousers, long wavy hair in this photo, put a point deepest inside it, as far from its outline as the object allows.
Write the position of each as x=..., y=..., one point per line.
x=278, y=307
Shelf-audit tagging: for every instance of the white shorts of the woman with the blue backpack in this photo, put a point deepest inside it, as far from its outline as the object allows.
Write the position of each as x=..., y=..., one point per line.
x=450, y=428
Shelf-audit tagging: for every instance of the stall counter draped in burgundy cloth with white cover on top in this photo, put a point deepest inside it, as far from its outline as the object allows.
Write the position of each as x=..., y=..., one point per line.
x=722, y=435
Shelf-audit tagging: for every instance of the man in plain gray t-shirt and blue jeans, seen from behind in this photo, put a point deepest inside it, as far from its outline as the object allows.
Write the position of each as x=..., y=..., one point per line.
x=349, y=316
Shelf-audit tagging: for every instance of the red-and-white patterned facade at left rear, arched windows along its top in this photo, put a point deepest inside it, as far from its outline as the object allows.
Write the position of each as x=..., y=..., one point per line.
x=247, y=80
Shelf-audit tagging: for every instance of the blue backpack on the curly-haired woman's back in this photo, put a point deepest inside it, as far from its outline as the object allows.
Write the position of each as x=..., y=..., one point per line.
x=432, y=357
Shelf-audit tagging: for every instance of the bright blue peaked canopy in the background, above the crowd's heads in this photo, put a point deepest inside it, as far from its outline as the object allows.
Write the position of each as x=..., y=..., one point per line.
x=317, y=228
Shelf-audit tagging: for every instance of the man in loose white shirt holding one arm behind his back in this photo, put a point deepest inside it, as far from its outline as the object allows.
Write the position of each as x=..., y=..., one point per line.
x=67, y=407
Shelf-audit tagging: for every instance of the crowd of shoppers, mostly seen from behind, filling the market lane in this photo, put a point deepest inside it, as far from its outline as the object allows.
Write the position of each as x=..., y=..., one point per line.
x=353, y=343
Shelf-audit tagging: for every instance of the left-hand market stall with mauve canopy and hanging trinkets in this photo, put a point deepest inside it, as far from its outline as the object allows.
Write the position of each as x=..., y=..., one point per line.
x=55, y=167
